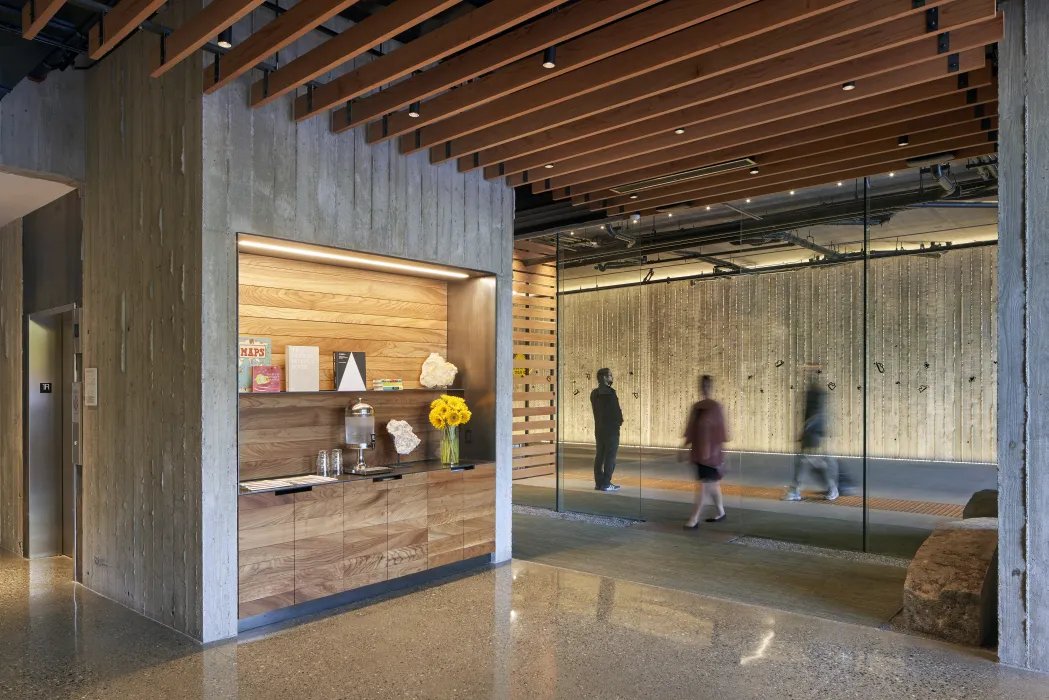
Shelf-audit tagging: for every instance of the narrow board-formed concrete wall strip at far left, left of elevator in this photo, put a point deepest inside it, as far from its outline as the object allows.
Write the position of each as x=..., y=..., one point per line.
x=11, y=379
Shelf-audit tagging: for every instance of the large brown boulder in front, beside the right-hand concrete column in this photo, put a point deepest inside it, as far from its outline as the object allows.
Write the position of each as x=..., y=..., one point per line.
x=952, y=587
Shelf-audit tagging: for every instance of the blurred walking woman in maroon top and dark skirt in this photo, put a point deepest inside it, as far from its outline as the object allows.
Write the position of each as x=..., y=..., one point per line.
x=705, y=436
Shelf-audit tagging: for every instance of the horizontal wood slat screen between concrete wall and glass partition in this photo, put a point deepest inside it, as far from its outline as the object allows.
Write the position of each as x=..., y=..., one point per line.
x=536, y=360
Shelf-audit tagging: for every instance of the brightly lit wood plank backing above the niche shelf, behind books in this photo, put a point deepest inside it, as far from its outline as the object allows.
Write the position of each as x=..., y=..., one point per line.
x=395, y=320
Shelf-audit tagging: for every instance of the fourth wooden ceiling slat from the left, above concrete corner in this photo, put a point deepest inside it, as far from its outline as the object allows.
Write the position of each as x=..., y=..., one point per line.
x=284, y=31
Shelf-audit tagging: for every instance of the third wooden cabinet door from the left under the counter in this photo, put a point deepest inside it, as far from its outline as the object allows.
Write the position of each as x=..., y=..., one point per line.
x=365, y=535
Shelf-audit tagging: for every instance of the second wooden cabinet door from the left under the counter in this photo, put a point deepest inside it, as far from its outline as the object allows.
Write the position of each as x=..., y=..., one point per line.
x=318, y=543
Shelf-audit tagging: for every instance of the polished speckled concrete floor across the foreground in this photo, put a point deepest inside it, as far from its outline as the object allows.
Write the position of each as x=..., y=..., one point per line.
x=520, y=631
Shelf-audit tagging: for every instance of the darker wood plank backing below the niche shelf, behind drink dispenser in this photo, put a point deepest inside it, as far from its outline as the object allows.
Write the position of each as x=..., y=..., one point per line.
x=281, y=434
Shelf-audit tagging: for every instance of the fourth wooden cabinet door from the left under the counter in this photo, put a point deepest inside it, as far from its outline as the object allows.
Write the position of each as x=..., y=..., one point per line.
x=406, y=550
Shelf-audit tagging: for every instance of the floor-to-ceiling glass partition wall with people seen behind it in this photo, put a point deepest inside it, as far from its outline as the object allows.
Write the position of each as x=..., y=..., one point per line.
x=853, y=355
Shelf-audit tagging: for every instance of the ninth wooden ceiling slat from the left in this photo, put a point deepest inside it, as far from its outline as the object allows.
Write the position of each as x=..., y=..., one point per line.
x=562, y=95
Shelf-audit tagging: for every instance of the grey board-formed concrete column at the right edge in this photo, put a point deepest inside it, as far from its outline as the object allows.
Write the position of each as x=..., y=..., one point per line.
x=1023, y=348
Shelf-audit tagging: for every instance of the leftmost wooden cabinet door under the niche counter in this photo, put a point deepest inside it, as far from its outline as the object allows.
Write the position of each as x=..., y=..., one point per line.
x=266, y=543
